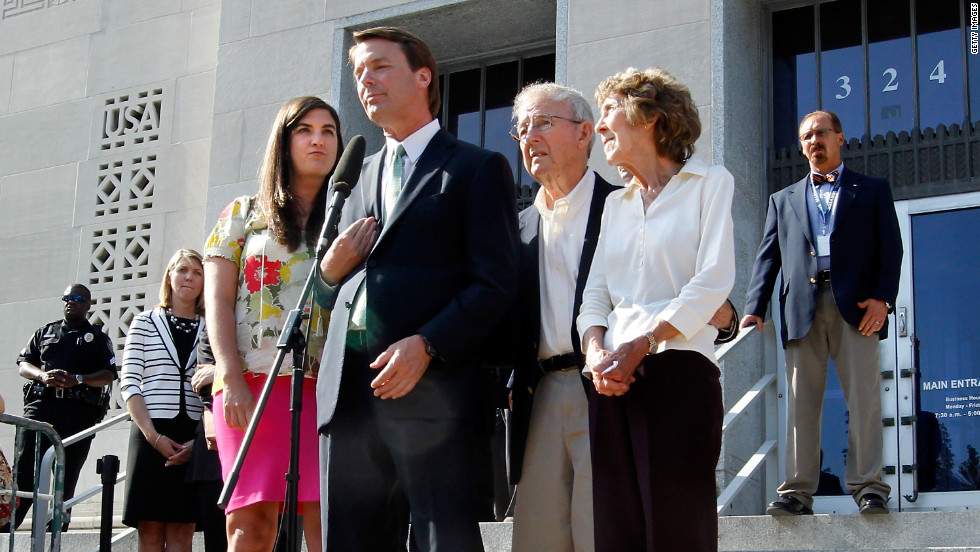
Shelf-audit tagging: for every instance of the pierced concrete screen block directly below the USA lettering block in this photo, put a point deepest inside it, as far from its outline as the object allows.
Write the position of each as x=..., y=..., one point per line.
x=125, y=185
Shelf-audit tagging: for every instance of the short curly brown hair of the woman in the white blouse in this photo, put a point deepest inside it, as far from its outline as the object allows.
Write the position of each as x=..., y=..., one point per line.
x=654, y=95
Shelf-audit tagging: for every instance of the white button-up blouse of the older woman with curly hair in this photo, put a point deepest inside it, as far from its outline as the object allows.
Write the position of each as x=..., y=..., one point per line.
x=675, y=262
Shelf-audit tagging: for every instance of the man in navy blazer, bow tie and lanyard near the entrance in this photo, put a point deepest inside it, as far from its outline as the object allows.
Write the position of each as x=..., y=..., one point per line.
x=835, y=236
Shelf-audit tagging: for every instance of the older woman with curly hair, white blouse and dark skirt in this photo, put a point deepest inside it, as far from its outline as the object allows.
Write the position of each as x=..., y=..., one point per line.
x=663, y=265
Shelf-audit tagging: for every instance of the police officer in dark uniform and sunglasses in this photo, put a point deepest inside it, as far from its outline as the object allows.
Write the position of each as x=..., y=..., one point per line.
x=69, y=364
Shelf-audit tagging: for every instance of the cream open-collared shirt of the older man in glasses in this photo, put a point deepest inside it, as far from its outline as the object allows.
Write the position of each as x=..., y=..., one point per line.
x=560, y=237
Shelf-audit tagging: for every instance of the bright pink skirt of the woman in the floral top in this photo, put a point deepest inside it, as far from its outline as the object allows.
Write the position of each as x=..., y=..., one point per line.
x=262, y=477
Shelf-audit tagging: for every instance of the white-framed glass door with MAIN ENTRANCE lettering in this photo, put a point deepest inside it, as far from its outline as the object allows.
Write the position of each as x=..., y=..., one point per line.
x=937, y=354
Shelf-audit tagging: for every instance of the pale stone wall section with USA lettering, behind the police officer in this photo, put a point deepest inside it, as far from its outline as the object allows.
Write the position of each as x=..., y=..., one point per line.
x=105, y=114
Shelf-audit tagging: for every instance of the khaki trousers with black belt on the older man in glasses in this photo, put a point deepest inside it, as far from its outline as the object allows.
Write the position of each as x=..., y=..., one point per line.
x=553, y=505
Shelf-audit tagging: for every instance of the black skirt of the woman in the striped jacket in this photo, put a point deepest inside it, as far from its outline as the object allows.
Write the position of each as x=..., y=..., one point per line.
x=155, y=492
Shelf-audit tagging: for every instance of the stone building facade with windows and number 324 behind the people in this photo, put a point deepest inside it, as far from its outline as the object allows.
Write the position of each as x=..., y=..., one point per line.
x=127, y=126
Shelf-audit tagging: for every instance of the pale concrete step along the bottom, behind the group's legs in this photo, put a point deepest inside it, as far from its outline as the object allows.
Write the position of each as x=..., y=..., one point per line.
x=896, y=532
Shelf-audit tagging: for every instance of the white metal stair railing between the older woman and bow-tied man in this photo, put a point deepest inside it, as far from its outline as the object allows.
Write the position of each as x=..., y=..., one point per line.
x=763, y=389
